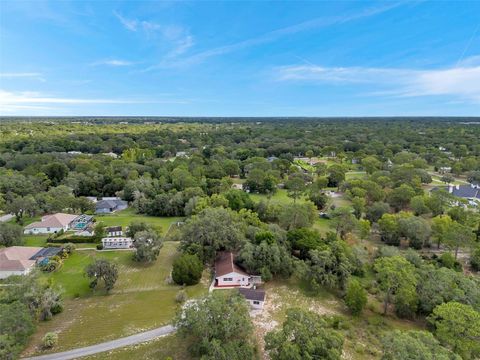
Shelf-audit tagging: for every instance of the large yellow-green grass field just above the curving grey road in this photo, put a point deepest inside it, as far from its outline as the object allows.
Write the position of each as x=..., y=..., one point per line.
x=141, y=300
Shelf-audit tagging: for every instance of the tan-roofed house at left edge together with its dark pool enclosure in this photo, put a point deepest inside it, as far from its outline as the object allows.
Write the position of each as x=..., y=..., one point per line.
x=20, y=260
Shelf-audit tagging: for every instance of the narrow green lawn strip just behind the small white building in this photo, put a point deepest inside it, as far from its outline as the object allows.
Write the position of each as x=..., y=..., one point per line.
x=125, y=217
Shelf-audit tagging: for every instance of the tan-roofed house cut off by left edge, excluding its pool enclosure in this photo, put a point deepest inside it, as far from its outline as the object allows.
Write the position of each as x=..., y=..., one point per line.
x=17, y=260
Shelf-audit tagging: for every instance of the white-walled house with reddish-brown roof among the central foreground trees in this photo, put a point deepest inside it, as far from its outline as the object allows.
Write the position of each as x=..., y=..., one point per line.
x=228, y=274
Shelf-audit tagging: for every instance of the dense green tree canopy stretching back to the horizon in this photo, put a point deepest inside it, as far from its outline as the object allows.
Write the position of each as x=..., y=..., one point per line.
x=397, y=235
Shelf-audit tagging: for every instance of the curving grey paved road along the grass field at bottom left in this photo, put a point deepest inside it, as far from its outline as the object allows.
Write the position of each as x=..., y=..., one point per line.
x=106, y=346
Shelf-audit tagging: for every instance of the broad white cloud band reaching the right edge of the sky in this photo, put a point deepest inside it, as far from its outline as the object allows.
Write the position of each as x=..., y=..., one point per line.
x=459, y=81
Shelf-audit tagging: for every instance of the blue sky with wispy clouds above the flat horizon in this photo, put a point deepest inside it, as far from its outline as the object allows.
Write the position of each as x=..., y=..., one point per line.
x=248, y=58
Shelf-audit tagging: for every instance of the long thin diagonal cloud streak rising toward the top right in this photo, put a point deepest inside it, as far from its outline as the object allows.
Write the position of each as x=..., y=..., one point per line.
x=277, y=34
